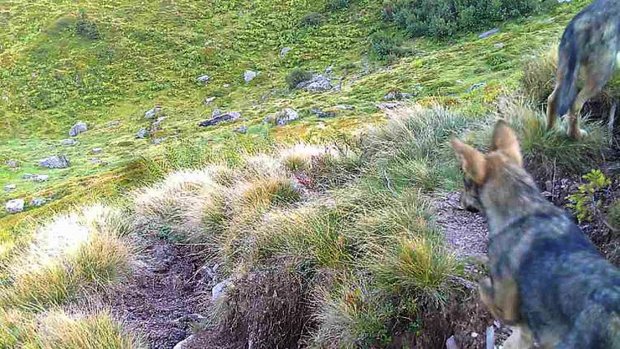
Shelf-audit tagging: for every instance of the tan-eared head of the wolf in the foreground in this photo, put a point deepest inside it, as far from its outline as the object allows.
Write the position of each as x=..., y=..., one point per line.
x=496, y=177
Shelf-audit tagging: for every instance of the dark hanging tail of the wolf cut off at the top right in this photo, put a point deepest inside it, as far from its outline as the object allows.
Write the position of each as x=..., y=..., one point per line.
x=568, y=66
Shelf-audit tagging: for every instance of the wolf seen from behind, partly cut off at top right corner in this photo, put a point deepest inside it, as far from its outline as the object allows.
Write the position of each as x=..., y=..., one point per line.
x=589, y=46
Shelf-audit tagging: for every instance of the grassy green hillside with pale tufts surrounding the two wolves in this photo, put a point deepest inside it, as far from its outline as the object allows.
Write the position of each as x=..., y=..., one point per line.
x=330, y=230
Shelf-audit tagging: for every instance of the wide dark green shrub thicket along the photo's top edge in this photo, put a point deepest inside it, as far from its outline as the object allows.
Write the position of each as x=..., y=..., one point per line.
x=443, y=18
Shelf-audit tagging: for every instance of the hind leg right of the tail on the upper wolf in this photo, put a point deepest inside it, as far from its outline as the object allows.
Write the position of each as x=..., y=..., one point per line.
x=597, y=74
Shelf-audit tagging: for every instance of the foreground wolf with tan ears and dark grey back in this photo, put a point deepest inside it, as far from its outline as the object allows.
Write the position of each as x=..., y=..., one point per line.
x=547, y=280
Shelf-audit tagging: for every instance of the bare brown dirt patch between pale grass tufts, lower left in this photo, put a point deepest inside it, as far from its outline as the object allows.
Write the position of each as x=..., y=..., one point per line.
x=166, y=294
